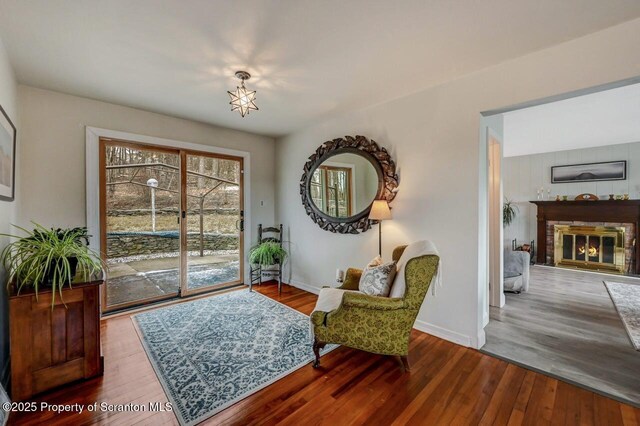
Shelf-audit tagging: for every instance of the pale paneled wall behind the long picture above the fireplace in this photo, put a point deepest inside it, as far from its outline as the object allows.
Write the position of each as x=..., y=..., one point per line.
x=525, y=174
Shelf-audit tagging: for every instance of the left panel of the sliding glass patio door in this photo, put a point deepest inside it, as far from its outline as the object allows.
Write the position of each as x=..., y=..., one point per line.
x=140, y=231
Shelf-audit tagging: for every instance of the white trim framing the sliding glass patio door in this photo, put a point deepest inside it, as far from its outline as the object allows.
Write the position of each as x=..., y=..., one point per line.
x=93, y=135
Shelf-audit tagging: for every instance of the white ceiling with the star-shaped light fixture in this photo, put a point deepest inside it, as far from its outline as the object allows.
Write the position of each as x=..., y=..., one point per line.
x=309, y=58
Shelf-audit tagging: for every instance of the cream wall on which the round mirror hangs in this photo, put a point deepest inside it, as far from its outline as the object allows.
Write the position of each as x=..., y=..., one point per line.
x=433, y=136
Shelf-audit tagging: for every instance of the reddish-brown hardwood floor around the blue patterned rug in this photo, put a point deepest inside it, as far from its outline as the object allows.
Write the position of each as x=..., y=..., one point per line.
x=448, y=384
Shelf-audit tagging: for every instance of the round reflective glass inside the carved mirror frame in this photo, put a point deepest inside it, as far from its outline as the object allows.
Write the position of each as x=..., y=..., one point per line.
x=344, y=185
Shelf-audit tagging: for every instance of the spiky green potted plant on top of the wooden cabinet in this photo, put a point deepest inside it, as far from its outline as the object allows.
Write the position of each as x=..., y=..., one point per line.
x=49, y=258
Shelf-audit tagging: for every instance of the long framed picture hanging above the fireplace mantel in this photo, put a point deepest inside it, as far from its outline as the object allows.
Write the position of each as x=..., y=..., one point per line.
x=590, y=172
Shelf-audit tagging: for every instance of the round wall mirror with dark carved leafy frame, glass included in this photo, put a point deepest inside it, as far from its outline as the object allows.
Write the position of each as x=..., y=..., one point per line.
x=342, y=179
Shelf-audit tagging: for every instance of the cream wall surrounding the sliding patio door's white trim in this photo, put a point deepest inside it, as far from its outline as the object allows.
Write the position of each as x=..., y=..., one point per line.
x=53, y=153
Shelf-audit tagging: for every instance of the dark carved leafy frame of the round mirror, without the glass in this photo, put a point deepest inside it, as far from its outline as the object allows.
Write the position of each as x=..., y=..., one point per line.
x=379, y=159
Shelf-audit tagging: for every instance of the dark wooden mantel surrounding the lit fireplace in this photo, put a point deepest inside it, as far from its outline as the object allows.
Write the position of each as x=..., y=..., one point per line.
x=614, y=211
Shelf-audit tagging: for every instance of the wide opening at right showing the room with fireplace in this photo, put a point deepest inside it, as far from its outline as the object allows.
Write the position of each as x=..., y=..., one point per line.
x=570, y=247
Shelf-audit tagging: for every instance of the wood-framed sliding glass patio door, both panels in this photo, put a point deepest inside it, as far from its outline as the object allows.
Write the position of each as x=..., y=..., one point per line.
x=171, y=222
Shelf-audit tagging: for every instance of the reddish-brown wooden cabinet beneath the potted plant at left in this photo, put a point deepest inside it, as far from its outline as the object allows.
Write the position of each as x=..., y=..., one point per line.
x=54, y=346
